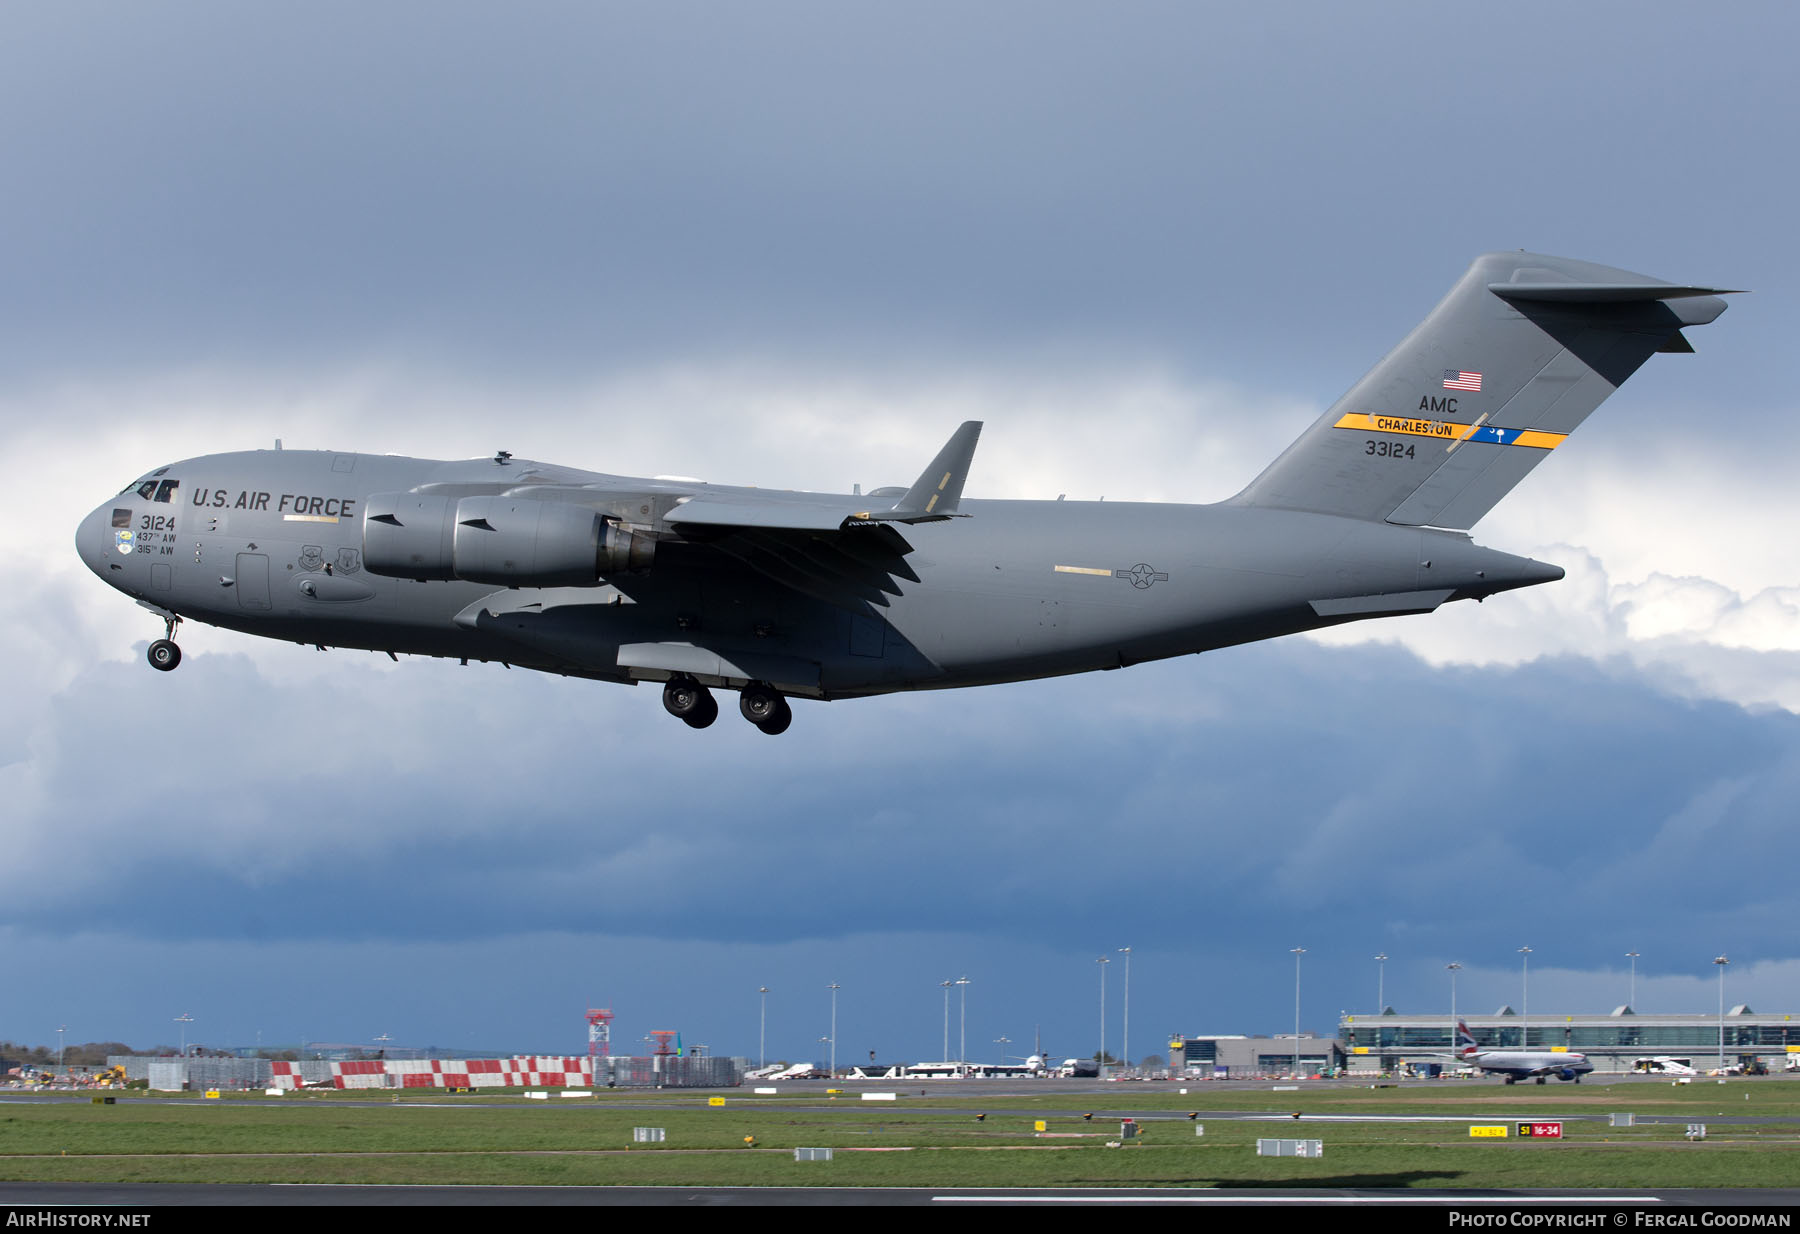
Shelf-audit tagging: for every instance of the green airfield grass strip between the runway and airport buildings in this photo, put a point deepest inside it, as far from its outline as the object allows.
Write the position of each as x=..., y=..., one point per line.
x=937, y=1141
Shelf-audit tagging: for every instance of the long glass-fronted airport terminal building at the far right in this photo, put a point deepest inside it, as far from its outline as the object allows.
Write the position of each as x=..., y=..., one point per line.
x=1612, y=1042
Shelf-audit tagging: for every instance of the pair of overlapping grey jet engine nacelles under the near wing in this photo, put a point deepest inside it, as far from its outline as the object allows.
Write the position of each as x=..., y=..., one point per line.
x=505, y=541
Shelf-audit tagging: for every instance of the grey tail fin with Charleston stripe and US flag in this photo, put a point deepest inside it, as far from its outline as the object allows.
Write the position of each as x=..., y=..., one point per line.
x=1507, y=366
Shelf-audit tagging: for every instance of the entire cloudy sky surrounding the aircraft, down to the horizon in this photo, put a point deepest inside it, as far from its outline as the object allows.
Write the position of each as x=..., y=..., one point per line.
x=796, y=246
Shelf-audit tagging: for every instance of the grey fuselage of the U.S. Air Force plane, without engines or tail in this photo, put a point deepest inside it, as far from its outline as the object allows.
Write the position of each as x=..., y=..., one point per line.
x=274, y=544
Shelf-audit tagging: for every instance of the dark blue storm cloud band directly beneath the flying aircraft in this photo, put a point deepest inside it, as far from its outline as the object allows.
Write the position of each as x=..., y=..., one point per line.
x=1335, y=792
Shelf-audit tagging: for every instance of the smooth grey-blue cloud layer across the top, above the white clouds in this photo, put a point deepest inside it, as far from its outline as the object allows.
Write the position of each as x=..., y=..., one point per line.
x=552, y=188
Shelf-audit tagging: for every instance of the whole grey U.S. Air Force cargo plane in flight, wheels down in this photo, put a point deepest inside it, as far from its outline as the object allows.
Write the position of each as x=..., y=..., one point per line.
x=777, y=596
